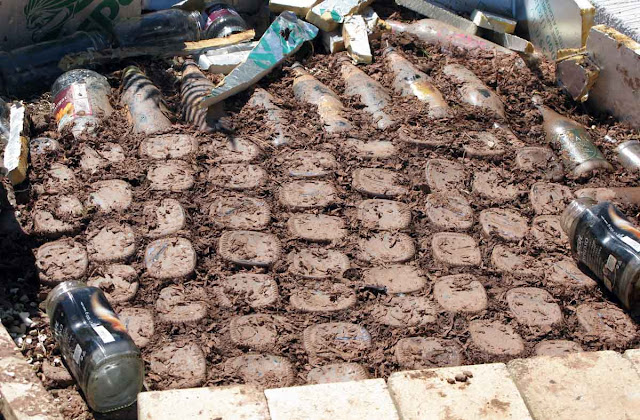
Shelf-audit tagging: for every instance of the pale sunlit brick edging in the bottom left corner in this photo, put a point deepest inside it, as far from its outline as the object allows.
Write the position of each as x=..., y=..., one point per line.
x=22, y=395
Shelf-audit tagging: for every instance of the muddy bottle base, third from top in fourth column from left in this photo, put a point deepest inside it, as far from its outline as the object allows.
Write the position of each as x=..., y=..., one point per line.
x=240, y=212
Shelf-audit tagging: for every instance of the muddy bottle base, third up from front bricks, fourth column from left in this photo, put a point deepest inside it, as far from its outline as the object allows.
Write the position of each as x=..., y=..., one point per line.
x=255, y=290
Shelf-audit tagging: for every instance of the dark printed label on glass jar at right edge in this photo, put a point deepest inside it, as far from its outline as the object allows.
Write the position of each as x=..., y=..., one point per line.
x=606, y=242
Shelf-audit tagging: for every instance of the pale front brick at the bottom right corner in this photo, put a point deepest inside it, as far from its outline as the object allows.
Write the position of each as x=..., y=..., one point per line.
x=600, y=385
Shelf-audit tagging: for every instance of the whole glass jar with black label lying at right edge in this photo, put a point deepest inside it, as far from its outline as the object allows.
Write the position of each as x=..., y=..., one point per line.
x=604, y=240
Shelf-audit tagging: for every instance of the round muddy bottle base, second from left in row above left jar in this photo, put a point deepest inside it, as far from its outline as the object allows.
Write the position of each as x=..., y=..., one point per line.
x=112, y=243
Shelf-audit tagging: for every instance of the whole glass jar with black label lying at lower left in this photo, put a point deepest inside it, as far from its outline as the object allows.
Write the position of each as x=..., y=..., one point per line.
x=95, y=346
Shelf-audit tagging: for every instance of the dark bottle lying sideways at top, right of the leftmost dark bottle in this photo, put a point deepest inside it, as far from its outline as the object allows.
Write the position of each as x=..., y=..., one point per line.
x=164, y=27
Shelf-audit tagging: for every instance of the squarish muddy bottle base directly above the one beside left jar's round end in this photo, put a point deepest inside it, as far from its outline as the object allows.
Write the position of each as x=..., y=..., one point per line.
x=178, y=305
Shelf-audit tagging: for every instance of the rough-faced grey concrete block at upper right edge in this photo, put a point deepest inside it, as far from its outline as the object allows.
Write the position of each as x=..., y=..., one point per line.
x=616, y=90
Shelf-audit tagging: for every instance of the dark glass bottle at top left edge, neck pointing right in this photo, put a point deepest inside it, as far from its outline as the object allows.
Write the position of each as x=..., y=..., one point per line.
x=33, y=68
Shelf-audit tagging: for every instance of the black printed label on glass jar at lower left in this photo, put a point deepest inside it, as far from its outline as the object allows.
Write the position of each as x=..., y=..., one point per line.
x=83, y=325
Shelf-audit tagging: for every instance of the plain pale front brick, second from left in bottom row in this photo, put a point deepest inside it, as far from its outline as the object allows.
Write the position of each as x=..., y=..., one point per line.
x=367, y=399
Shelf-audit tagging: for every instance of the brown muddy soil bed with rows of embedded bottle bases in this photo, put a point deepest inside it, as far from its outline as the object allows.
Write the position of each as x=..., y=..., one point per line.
x=273, y=308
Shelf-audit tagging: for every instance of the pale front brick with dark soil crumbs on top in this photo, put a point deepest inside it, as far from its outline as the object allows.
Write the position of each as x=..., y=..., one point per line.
x=488, y=393
